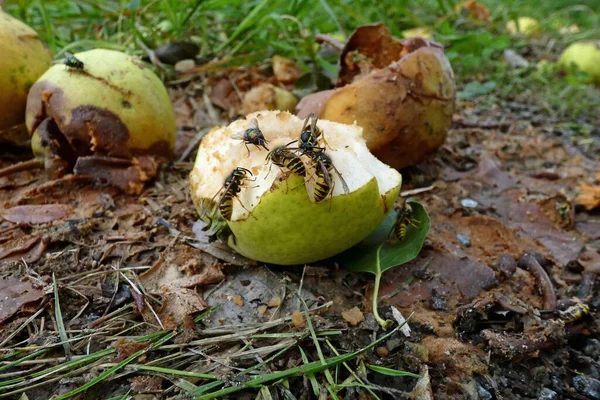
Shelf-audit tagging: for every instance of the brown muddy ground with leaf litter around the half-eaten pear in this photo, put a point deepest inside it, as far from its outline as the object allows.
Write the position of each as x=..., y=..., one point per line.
x=498, y=292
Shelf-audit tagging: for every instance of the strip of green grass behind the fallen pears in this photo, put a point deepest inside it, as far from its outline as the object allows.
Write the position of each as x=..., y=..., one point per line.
x=245, y=33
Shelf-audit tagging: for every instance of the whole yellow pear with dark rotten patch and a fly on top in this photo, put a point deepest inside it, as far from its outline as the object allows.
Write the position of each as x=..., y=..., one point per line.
x=111, y=119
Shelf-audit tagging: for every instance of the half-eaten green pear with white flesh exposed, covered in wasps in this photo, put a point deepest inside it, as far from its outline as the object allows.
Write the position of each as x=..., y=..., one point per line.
x=273, y=218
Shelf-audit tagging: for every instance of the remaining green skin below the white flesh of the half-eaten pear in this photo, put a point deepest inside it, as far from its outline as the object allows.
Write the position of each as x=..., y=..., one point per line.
x=291, y=229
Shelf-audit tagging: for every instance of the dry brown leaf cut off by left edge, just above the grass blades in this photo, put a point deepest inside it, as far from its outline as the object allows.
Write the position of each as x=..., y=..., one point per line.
x=14, y=294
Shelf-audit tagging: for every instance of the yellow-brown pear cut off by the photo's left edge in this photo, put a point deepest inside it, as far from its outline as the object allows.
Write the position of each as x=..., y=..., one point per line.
x=24, y=58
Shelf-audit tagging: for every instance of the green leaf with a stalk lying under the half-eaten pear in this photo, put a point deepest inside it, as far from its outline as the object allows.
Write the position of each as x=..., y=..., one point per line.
x=377, y=253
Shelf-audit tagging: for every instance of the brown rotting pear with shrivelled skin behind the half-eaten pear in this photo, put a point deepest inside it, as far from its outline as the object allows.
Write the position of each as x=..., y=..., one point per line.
x=401, y=92
